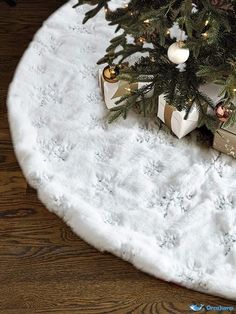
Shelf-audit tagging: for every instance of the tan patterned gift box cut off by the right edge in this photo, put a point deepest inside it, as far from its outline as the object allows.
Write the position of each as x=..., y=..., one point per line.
x=225, y=140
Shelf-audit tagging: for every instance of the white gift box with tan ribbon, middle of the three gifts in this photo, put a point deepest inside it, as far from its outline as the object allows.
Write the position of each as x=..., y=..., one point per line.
x=175, y=119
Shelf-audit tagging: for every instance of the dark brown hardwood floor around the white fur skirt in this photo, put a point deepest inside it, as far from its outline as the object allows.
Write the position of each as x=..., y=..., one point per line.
x=44, y=267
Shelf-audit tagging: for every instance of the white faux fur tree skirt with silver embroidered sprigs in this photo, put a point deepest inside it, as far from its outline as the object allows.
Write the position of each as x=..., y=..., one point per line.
x=167, y=206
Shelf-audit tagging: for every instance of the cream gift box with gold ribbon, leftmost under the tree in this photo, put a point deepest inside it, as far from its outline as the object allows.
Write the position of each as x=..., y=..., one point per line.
x=112, y=92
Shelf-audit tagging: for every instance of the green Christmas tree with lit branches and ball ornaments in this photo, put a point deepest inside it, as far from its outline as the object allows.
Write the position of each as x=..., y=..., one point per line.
x=178, y=45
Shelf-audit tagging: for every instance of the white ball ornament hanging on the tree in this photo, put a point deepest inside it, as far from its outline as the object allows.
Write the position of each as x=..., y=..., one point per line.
x=177, y=53
